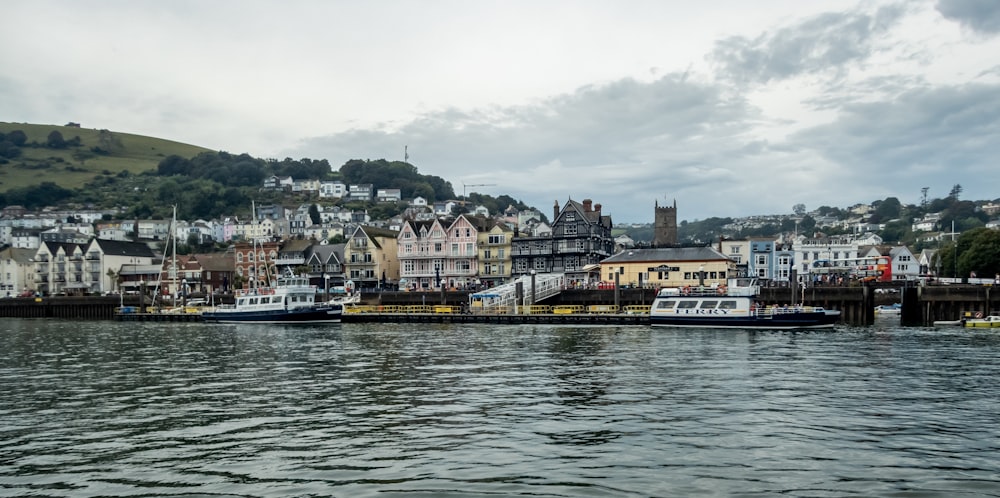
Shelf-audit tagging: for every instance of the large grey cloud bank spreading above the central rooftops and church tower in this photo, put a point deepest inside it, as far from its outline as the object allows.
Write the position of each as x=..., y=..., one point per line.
x=628, y=141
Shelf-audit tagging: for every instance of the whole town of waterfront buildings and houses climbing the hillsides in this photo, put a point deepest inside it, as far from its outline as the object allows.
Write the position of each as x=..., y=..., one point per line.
x=427, y=248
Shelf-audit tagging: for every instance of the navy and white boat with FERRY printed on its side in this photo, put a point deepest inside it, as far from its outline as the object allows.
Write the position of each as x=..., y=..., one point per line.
x=732, y=306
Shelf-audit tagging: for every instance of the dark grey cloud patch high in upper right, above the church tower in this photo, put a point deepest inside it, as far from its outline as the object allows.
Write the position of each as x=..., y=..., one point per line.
x=827, y=42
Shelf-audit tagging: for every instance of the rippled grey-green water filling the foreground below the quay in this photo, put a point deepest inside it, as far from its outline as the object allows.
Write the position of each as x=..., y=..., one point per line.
x=125, y=409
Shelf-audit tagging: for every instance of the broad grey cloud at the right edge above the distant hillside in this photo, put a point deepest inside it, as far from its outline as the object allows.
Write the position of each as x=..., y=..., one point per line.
x=924, y=136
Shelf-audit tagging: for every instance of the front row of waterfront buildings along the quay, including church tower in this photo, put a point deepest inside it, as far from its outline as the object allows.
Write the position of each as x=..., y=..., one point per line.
x=430, y=253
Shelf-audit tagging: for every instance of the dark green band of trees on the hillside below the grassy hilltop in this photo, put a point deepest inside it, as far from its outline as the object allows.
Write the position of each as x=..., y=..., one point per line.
x=216, y=184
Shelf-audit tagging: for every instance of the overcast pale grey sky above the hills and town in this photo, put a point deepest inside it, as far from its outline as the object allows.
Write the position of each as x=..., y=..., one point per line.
x=728, y=108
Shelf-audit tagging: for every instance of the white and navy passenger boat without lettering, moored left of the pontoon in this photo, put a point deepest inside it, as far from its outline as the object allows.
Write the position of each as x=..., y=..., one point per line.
x=292, y=300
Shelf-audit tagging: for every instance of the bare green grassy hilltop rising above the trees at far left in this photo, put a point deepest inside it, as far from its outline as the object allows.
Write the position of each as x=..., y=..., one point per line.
x=73, y=166
